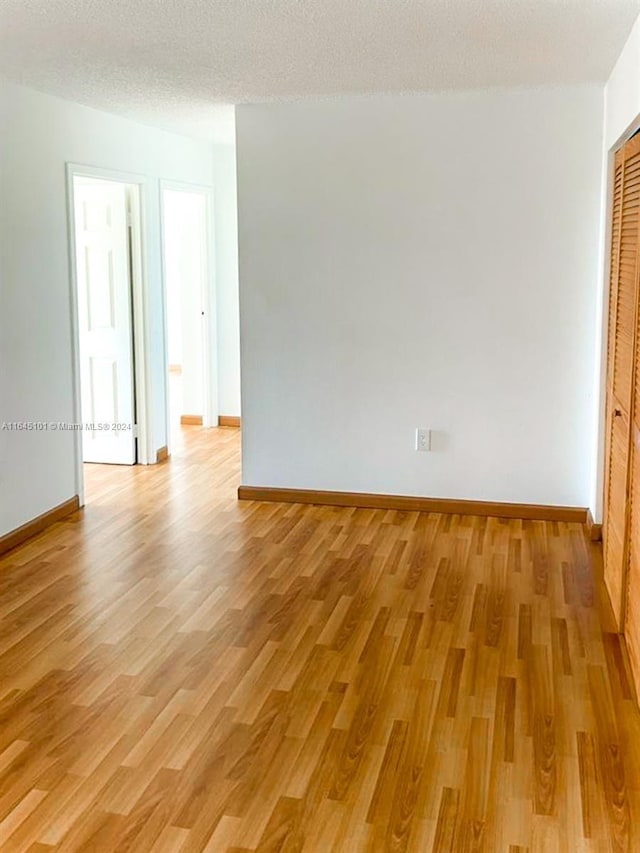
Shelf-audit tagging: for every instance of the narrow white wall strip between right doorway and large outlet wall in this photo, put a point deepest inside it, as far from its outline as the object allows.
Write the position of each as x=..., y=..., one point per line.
x=226, y=244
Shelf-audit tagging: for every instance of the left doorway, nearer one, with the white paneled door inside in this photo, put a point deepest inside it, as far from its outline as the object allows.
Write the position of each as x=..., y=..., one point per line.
x=107, y=318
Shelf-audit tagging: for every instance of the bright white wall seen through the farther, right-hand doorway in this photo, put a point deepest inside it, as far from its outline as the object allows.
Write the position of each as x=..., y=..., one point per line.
x=185, y=275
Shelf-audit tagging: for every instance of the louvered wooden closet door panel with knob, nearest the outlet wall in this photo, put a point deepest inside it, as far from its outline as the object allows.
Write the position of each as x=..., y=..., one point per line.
x=621, y=358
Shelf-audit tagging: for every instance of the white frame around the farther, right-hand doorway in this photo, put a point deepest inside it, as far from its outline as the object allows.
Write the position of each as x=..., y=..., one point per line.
x=209, y=331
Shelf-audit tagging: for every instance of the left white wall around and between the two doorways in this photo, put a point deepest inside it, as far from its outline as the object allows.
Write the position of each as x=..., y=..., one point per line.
x=39, y=134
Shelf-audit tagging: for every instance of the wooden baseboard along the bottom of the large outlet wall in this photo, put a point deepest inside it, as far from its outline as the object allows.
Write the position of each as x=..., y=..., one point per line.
x=414, y=504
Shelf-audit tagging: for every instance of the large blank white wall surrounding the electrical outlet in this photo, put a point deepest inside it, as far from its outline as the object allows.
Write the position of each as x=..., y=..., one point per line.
x=421, y=261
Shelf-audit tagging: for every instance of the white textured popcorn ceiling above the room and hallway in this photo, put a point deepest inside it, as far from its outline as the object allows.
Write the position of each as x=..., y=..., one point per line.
x=173, y=63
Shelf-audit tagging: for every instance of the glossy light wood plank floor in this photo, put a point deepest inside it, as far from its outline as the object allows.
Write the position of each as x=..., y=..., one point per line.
x=182, y=672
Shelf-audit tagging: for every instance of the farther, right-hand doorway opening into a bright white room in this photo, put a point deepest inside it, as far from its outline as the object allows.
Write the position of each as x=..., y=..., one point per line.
x=186, y=256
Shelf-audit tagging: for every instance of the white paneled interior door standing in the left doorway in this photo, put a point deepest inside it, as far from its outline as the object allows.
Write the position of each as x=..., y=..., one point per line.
x=105, y=322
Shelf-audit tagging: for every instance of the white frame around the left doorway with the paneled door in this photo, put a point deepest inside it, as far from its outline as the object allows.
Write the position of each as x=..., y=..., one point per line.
x=140, y=309
